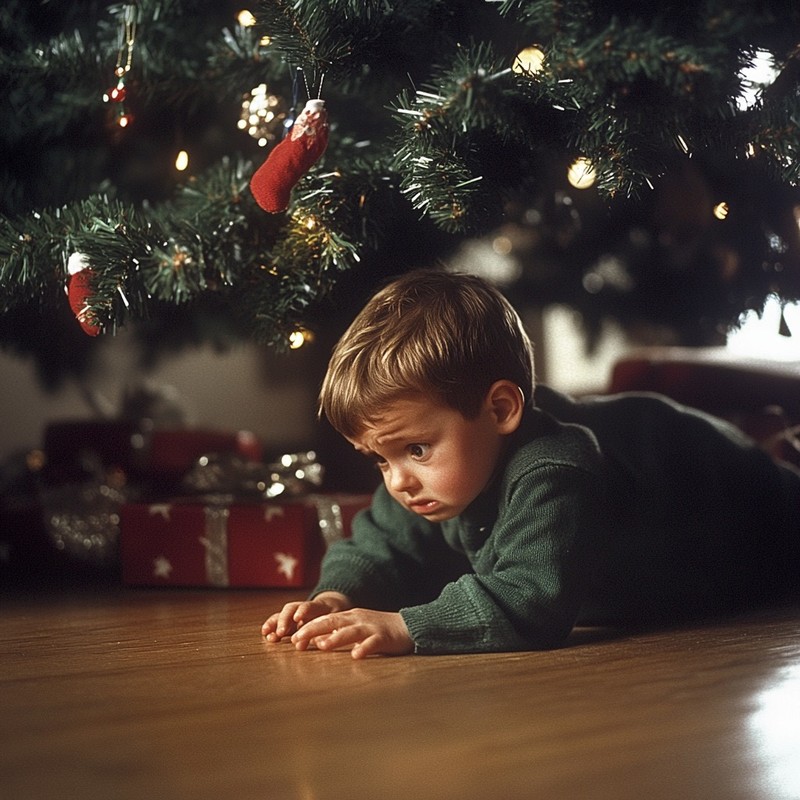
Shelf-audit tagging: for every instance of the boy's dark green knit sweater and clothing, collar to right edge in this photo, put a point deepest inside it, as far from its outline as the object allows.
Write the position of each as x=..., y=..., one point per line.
x=619, y=509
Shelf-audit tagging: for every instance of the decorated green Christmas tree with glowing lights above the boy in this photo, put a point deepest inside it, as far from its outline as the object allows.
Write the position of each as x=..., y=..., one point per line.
x=132, y=132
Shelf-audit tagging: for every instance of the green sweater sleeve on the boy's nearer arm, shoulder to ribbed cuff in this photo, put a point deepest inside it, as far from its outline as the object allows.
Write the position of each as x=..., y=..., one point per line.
x=531, y=574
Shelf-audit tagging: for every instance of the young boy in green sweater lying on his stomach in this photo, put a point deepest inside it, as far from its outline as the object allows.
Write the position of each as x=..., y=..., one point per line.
x=508, y=515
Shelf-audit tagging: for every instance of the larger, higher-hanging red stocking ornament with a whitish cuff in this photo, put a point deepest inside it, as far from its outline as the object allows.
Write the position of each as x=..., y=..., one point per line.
x=291, y=158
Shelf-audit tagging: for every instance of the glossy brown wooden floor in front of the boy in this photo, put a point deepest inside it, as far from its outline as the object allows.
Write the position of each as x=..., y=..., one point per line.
x=174, y=694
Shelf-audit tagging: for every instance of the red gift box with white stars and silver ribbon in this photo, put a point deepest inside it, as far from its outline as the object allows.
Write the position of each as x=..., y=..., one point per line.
x=205, y=542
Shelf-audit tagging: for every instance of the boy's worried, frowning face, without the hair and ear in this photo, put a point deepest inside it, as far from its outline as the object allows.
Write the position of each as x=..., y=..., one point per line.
x=434, y=461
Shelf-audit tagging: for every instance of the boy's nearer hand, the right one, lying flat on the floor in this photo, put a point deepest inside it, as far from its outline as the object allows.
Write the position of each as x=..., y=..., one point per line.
x=367, y=632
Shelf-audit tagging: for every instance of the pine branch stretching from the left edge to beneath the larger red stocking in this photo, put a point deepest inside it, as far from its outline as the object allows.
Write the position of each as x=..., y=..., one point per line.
x=210, y=240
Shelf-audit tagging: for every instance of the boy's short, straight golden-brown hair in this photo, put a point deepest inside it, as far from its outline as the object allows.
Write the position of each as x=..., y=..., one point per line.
x=449, y=335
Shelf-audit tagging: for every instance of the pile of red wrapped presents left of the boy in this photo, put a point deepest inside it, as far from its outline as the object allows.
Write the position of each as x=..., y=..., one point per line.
x=123, y=501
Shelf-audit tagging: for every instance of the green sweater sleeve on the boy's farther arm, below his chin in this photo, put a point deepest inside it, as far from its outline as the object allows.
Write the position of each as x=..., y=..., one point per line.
x=393, y=558
